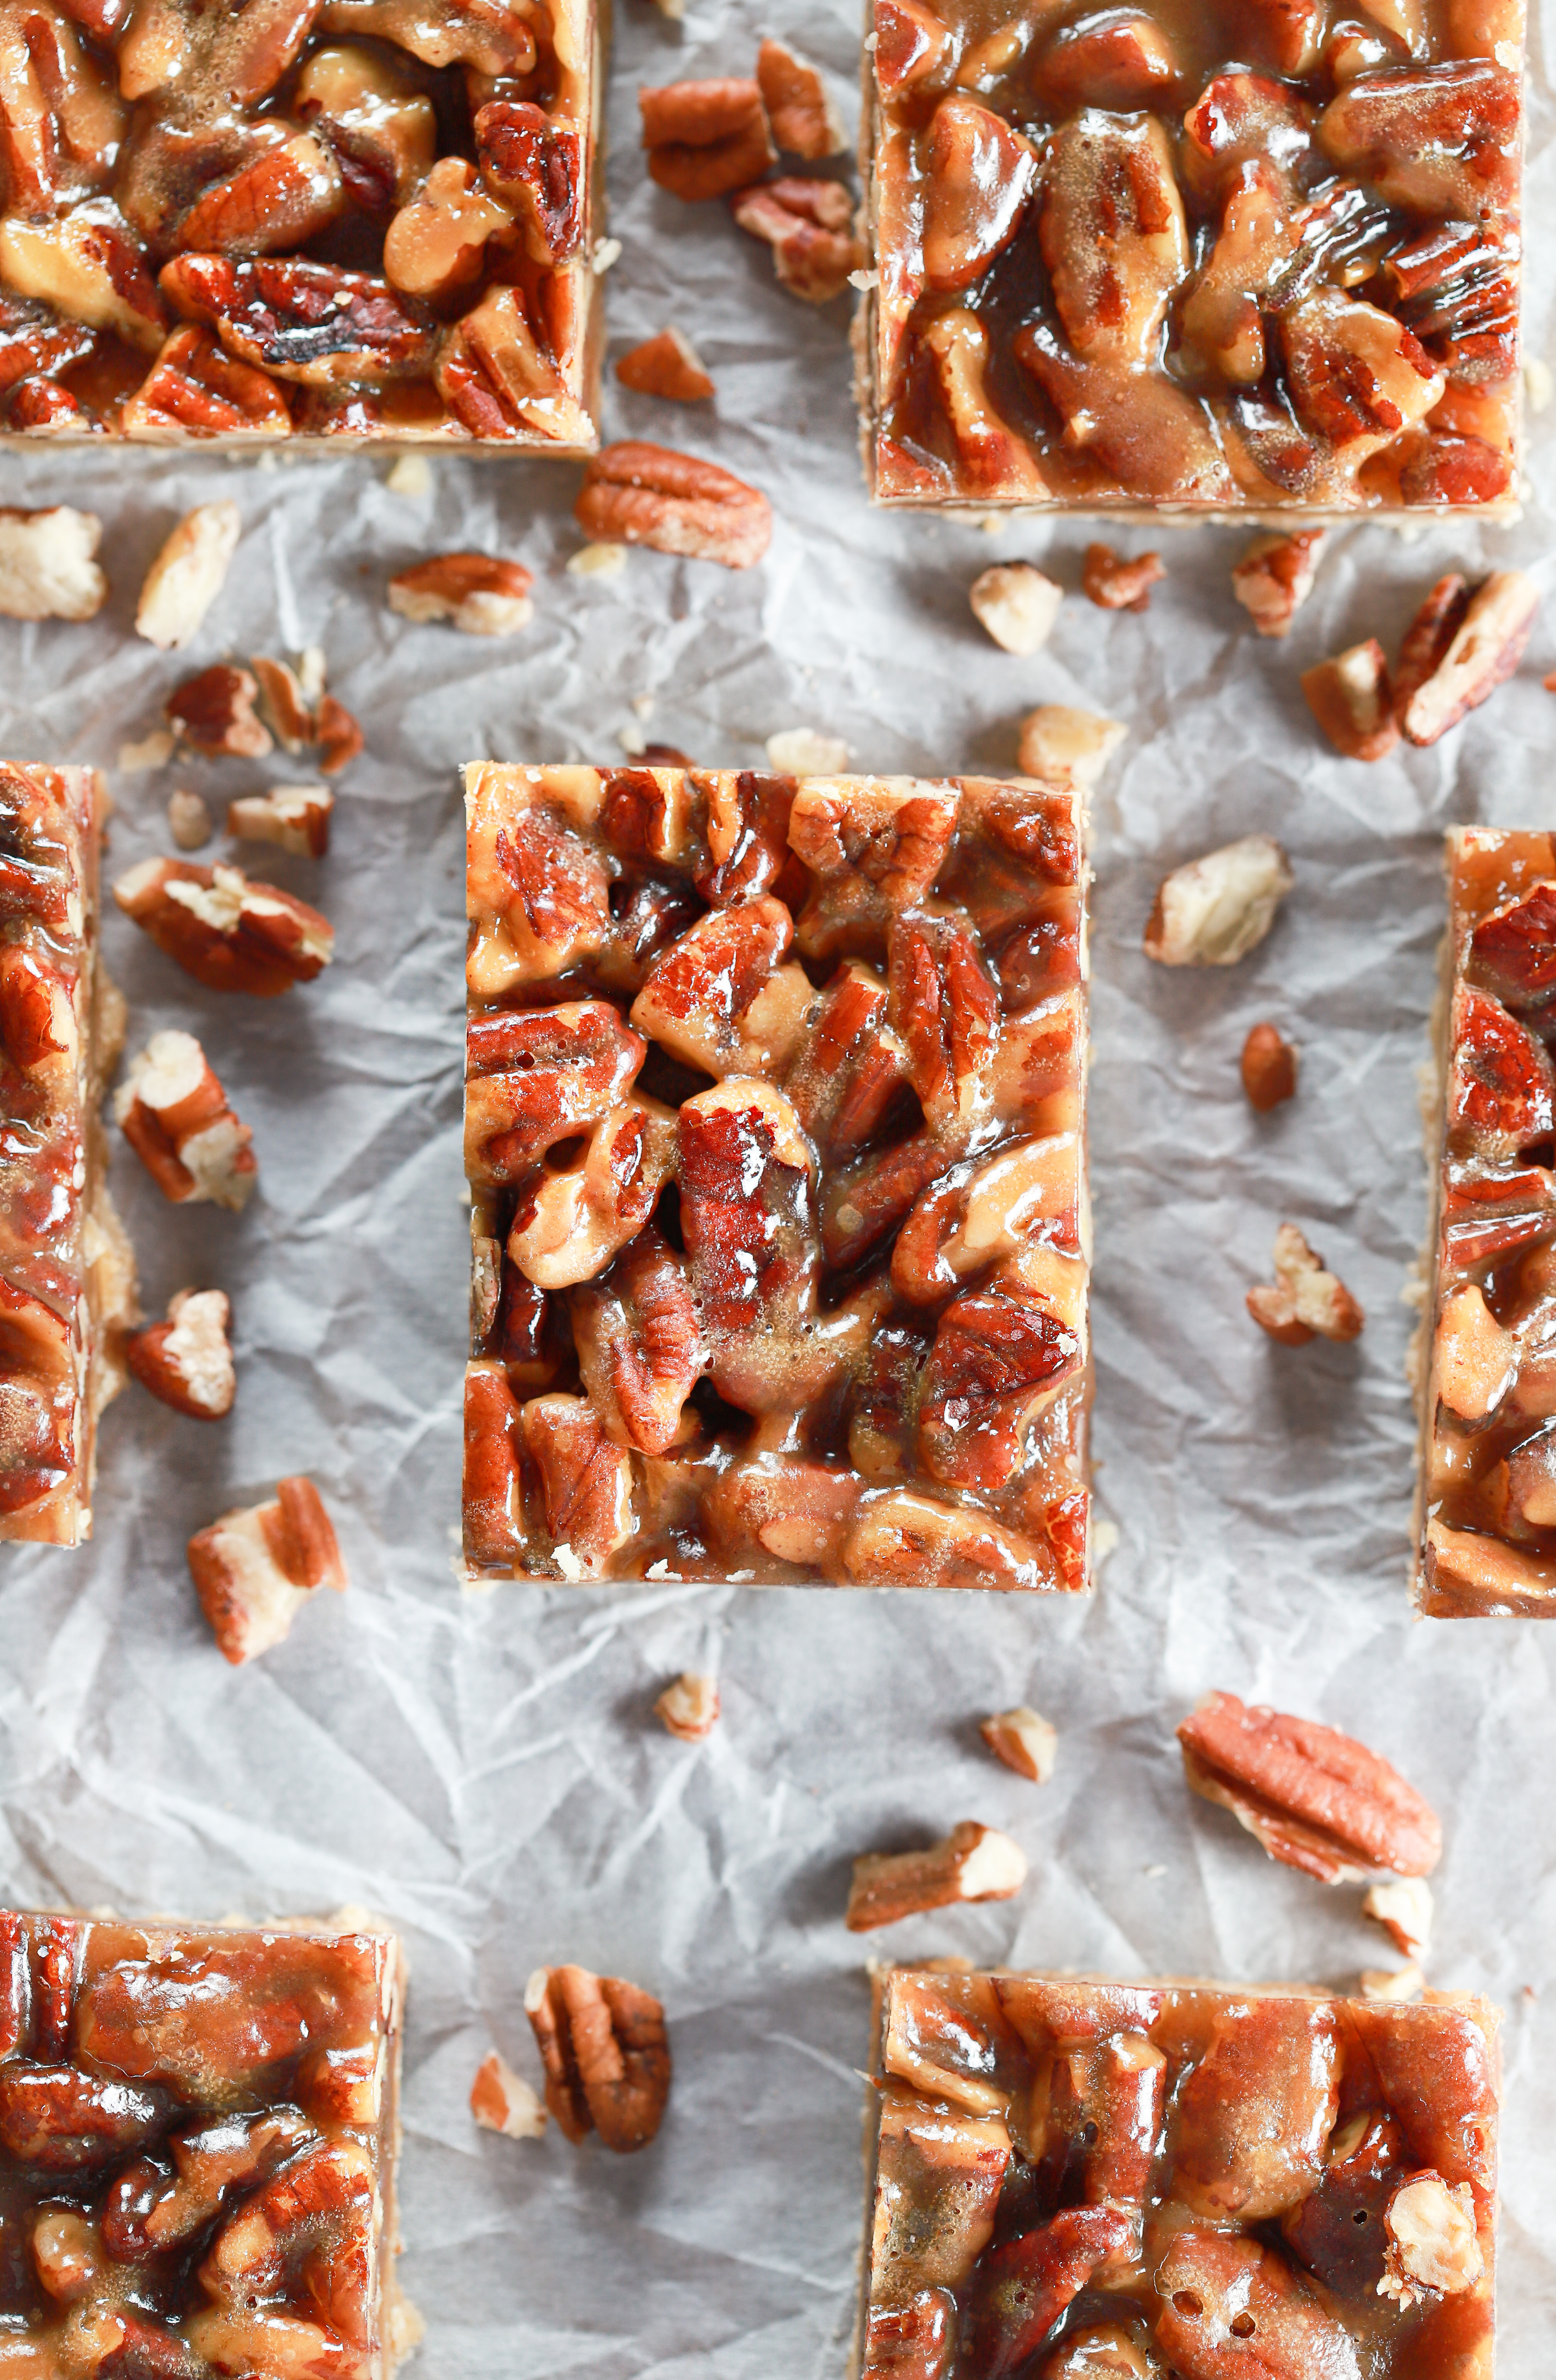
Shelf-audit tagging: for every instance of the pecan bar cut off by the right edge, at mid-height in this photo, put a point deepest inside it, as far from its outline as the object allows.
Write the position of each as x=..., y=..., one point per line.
x=1488, y=1458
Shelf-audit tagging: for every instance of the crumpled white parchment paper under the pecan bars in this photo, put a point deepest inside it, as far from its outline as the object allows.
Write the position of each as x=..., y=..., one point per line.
x=484, y=1770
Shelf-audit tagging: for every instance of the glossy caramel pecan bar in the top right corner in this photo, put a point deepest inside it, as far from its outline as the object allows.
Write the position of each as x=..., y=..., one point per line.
x=1196, y=258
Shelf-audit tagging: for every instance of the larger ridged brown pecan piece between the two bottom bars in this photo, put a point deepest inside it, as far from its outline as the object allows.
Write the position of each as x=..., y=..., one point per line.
x=606, y=2053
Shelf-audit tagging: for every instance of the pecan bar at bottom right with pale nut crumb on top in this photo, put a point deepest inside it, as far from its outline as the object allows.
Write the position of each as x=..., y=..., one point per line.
x=1105, y=2181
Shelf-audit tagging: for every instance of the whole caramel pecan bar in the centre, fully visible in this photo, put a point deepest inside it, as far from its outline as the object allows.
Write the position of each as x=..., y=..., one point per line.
x=777, y=1151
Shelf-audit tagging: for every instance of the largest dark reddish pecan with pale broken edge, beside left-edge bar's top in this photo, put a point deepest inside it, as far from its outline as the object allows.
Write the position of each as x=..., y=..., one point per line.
x=225, y=932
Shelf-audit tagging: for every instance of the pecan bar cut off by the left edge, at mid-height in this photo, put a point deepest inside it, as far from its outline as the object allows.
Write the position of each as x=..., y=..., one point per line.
x=68, y=1274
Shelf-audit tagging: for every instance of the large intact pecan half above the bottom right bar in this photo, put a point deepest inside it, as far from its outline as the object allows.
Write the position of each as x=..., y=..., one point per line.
x=1312, y=1796
